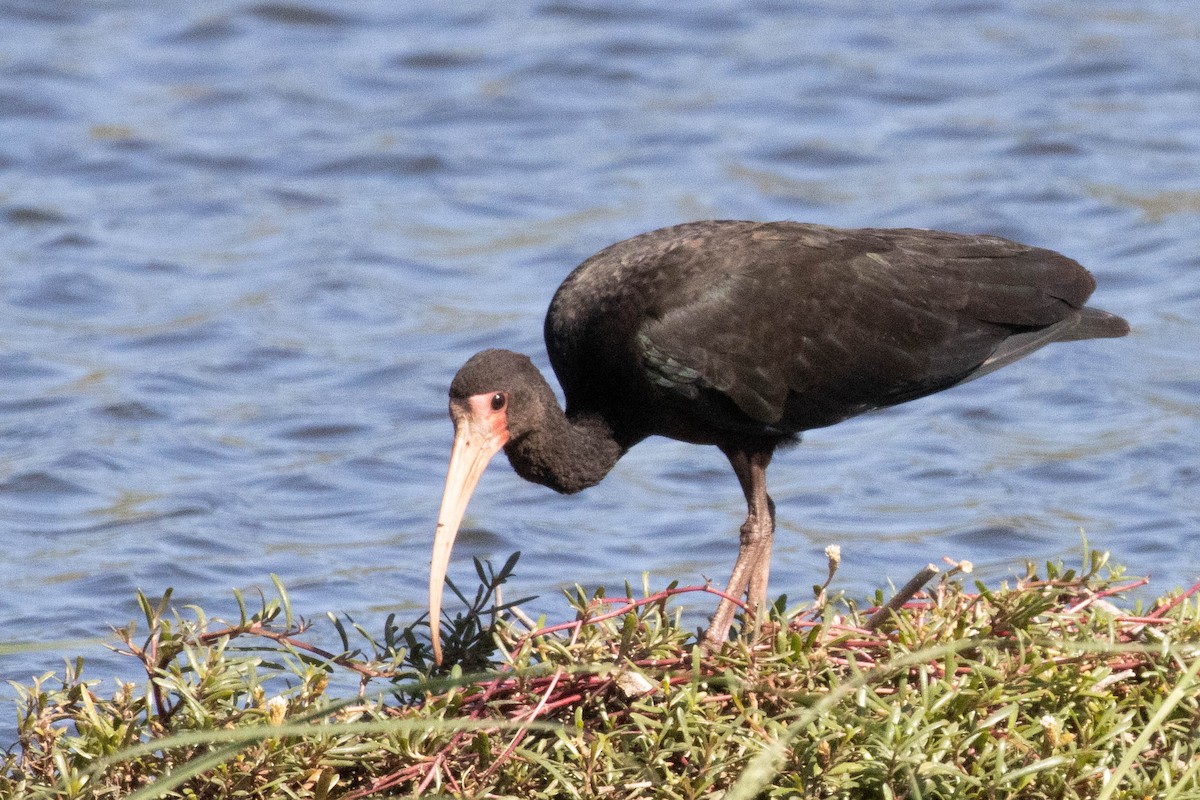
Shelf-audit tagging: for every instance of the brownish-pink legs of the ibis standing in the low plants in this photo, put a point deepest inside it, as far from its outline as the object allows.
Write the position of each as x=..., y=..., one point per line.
x=753, y=568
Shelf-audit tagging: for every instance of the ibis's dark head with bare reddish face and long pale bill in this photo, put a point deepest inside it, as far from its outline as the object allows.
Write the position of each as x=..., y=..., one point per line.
x=481, y=398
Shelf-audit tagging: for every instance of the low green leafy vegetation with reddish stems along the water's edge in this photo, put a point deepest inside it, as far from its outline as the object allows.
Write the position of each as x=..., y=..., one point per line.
x=1046, y=689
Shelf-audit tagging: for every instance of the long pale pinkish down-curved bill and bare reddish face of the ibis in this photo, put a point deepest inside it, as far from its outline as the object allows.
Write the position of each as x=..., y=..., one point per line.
x=479, y=434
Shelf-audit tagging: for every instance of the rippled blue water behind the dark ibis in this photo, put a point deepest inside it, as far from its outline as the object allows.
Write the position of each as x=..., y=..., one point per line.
x=245, y=246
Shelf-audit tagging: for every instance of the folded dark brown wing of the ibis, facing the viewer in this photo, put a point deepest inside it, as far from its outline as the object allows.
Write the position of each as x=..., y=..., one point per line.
x=801, y=332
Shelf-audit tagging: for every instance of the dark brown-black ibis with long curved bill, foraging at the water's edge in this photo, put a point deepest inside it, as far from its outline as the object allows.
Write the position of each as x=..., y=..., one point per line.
x=743, y=335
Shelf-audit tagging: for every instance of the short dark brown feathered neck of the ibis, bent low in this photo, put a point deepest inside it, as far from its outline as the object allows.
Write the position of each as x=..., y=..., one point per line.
x=567, y=455
